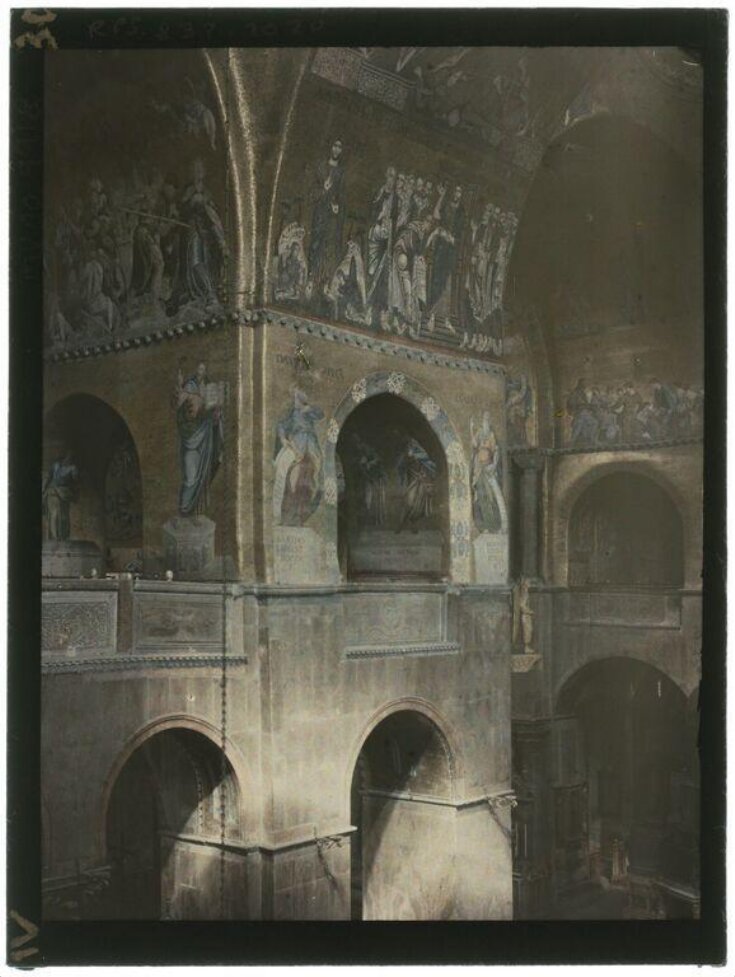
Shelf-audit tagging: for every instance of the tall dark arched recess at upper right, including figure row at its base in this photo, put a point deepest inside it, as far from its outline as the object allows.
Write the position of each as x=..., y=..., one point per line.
x=608, y=260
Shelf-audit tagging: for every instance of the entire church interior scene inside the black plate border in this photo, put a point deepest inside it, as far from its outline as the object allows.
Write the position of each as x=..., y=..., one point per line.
x=372, y=483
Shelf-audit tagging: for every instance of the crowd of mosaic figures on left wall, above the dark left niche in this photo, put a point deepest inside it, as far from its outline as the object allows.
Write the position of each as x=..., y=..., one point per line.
x=135, y=256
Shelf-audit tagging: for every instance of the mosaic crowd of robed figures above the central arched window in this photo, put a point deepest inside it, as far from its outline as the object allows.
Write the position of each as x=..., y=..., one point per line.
x=420, y=258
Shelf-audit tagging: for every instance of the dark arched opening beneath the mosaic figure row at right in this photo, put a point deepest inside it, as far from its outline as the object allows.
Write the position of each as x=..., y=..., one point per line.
x=625, y=531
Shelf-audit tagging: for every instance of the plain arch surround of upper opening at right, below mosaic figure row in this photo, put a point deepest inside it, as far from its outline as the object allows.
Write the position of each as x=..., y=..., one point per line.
x=565, y=502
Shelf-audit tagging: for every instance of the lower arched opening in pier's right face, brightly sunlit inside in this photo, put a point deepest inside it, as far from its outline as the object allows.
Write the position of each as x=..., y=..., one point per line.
x=403, y=845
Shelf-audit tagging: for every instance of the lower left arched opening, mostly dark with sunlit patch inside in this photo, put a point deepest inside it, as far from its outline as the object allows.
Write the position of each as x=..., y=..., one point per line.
x=172, y=804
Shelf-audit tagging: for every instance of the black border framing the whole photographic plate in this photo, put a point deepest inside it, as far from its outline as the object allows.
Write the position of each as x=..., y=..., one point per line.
x=697, y=941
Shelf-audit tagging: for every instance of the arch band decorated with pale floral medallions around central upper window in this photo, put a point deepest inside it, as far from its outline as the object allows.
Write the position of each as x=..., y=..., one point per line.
x=460, y=514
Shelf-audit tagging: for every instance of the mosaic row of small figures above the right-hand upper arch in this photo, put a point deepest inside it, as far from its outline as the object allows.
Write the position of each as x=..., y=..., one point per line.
x=633, y=412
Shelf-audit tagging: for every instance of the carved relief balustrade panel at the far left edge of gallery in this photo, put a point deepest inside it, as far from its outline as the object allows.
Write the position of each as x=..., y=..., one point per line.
x=82, y=624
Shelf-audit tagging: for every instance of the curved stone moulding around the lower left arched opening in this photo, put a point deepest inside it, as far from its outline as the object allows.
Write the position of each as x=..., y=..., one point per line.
x=174, y=722
